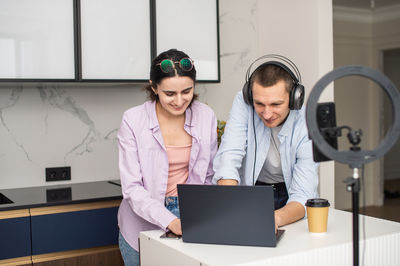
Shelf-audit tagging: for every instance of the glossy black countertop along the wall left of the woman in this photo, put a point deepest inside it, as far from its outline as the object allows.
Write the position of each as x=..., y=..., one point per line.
x=32, y=197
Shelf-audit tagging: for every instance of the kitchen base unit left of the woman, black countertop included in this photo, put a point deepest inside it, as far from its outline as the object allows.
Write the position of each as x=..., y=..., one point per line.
x=40, y=223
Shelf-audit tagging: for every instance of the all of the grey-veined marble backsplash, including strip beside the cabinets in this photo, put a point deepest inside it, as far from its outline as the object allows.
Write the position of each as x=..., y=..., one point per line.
x=53, y=125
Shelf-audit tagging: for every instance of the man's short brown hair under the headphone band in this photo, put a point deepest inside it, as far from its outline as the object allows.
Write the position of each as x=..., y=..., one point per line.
x=268, y=75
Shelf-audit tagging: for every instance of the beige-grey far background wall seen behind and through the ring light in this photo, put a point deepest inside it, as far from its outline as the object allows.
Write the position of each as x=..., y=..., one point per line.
x=359, y=38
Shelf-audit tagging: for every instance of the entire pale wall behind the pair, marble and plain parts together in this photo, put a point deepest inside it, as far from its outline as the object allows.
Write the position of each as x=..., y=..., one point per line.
x=55, y=125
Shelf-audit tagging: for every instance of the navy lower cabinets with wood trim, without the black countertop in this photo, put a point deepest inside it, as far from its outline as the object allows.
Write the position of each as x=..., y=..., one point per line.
x=75, y=234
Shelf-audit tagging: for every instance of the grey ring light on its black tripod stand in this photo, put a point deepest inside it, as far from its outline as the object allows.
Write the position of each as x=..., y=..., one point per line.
x=355, y=157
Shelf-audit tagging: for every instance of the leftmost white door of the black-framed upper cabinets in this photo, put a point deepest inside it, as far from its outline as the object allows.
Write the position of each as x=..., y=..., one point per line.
x=36, y=39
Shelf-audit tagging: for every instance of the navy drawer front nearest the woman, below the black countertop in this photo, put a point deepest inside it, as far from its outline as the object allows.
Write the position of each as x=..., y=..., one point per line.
x=74, y=230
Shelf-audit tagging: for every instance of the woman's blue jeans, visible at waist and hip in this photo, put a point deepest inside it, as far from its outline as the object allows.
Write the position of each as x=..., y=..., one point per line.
x=129, y=254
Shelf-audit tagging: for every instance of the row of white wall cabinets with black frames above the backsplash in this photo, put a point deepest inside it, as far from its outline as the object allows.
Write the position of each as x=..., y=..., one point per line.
x=103, y=40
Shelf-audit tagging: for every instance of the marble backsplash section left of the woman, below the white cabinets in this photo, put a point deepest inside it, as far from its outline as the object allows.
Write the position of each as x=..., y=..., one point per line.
x=52, y=126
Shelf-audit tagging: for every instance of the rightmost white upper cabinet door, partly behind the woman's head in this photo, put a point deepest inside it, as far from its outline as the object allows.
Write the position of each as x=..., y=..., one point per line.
x=191, y=26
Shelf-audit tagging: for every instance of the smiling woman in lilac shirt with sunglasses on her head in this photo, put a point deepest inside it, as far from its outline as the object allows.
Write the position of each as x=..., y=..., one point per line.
x=169, y=140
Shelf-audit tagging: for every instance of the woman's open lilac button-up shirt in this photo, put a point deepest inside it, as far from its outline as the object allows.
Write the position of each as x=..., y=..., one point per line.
x=143, y=164
